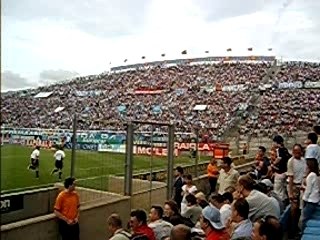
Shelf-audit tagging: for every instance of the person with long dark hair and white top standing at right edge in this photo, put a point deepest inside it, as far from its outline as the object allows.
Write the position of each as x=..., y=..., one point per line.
x=311, y=195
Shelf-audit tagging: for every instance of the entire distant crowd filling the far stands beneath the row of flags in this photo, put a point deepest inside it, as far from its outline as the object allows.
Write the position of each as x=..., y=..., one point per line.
x=170, y=93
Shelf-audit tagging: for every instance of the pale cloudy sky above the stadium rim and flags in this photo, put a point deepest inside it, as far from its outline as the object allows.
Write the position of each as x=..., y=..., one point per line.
x=46, y=41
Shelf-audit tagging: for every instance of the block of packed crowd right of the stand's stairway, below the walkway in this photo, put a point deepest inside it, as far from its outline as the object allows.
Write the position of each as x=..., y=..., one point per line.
x=287, y=112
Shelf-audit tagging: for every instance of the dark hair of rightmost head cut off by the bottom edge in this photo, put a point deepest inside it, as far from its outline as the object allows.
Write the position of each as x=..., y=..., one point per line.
x=270, y=227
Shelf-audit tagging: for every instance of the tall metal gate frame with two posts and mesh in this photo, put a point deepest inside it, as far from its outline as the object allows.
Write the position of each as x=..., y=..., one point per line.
x=140, y=170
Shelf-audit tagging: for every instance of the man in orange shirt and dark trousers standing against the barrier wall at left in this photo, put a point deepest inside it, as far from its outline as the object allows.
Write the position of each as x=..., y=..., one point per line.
x=66, y=209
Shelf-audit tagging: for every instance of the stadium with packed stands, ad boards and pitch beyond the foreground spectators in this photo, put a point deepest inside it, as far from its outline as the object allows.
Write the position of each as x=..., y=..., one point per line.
x=273, y=98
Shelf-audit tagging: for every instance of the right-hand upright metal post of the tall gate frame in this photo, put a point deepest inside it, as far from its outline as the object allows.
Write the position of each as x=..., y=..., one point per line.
x=170, y=161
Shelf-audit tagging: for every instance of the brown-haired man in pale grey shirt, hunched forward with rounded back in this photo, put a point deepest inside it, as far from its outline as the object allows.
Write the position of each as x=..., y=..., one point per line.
x=259, y=203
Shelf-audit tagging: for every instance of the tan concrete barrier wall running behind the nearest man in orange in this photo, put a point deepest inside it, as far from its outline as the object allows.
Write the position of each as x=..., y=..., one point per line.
x=93, y=225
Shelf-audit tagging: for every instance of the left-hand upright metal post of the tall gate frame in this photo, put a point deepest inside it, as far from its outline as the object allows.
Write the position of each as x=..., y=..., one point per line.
x=128, y=161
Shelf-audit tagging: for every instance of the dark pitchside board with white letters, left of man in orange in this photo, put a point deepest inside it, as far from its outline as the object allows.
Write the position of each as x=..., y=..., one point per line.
x=35, y=203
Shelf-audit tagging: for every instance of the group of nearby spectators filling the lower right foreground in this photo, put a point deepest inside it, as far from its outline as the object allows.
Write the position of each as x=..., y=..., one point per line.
x=263, y=204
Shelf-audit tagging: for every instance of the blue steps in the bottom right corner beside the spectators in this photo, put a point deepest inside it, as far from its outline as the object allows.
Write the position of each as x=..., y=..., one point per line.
x=312, y=231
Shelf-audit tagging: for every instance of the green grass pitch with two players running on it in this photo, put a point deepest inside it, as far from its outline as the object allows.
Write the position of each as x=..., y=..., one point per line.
x=93, y=165
